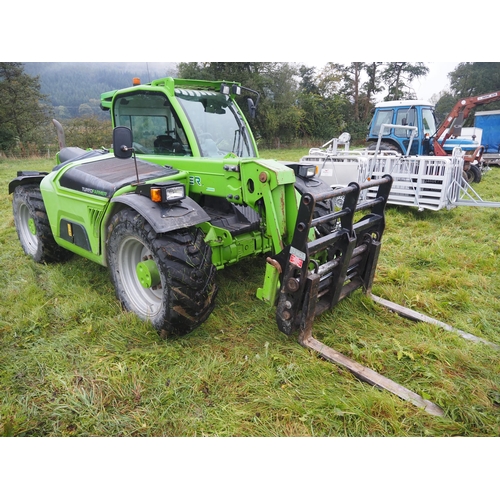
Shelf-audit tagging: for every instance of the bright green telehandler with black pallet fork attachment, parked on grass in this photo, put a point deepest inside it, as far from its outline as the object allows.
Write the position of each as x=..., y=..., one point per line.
x=183, y=193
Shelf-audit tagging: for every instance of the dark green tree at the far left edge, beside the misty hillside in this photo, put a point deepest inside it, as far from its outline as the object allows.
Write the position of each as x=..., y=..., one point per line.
x=23, y=112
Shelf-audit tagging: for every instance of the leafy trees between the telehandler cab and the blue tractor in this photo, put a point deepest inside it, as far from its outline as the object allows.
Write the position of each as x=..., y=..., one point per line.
x=302, y=102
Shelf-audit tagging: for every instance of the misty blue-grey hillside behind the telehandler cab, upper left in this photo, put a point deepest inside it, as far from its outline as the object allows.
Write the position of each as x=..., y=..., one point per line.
x=73, y=84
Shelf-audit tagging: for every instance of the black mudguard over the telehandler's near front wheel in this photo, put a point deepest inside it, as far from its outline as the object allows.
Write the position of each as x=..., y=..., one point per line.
x=164, y=219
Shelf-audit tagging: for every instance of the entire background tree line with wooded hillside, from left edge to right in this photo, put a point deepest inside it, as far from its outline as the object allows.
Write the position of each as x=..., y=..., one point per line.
x=297, y=102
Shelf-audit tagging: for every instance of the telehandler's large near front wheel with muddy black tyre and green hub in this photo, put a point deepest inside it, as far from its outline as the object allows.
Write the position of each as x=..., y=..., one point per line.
x=167, y=279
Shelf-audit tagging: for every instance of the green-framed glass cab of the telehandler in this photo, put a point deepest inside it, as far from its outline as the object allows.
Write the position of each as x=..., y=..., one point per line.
x=166, y=119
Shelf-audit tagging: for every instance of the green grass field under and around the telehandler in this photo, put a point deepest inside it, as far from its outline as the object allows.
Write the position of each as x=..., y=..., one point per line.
x=73, y=364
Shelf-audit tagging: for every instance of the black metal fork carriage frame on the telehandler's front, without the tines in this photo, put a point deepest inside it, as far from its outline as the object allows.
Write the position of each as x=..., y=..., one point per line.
x=318, y=274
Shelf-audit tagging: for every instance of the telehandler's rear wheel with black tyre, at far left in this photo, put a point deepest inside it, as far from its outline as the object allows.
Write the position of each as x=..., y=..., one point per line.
x=32, y=226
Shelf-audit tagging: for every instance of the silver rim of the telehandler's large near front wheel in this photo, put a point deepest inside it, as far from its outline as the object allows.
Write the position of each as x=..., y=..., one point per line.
x=145, y=301
